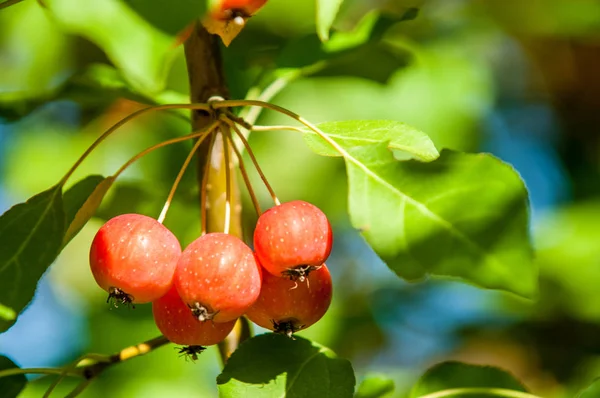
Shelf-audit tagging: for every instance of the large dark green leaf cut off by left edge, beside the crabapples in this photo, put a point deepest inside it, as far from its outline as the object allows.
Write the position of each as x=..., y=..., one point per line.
x=31, y=234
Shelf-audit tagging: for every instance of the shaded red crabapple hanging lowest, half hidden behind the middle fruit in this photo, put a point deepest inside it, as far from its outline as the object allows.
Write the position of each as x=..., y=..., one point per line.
x=175, y=321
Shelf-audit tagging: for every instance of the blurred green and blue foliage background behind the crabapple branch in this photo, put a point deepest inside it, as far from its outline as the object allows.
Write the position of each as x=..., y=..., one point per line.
x=515, y=78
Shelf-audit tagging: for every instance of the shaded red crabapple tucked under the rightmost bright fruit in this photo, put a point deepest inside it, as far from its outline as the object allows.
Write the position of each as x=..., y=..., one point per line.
x=301, y=304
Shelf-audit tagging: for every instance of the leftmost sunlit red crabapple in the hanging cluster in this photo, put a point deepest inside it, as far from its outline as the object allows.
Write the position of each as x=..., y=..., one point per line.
x=135, y=254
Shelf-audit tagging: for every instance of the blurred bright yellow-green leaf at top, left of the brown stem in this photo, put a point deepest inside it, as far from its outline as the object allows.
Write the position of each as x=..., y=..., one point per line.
x=142, y=52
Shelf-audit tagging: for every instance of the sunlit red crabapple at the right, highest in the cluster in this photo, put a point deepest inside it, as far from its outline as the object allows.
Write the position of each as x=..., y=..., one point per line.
x=290, y=235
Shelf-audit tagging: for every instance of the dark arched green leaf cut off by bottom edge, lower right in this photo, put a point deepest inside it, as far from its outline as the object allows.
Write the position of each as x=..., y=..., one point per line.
x=451, y=375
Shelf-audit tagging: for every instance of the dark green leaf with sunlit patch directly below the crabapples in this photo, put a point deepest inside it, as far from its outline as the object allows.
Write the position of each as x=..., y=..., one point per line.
x=272, y=365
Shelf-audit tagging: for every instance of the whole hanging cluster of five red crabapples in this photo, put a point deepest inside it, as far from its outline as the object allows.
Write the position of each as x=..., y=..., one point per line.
x=198, y=294
